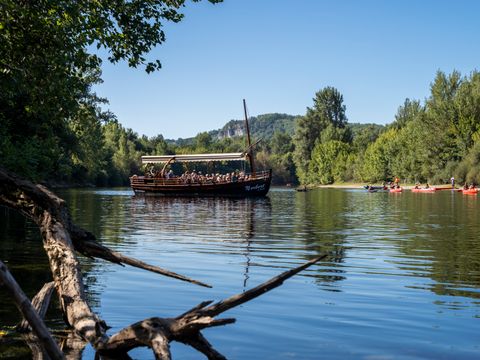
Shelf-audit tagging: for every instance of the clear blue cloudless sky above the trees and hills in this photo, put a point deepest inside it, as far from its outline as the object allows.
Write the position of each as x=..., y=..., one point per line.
x=278, y=53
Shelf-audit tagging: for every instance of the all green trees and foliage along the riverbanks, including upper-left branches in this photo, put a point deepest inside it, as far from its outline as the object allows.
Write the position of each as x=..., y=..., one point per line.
x=56, y=129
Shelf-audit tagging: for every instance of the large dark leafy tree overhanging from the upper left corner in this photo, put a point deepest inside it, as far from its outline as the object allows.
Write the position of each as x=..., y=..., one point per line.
x=40, y=94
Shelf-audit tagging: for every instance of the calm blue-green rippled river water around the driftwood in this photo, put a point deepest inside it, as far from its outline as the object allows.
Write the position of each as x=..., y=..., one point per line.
x=402, y=280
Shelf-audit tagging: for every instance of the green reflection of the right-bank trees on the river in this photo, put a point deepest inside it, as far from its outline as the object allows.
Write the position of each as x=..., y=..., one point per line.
x=431, y=236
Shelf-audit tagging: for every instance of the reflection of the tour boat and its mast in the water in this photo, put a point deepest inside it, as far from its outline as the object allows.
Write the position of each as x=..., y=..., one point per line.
x=235, y=218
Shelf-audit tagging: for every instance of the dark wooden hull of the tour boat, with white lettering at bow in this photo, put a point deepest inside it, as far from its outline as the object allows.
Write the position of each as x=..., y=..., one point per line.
x=258, y=186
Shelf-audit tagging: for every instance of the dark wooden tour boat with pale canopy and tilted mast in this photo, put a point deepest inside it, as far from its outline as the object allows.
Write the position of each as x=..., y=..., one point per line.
x=255, y=183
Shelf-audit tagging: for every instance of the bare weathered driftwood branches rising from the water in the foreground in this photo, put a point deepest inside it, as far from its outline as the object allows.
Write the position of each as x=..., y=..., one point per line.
x=62, y=239
